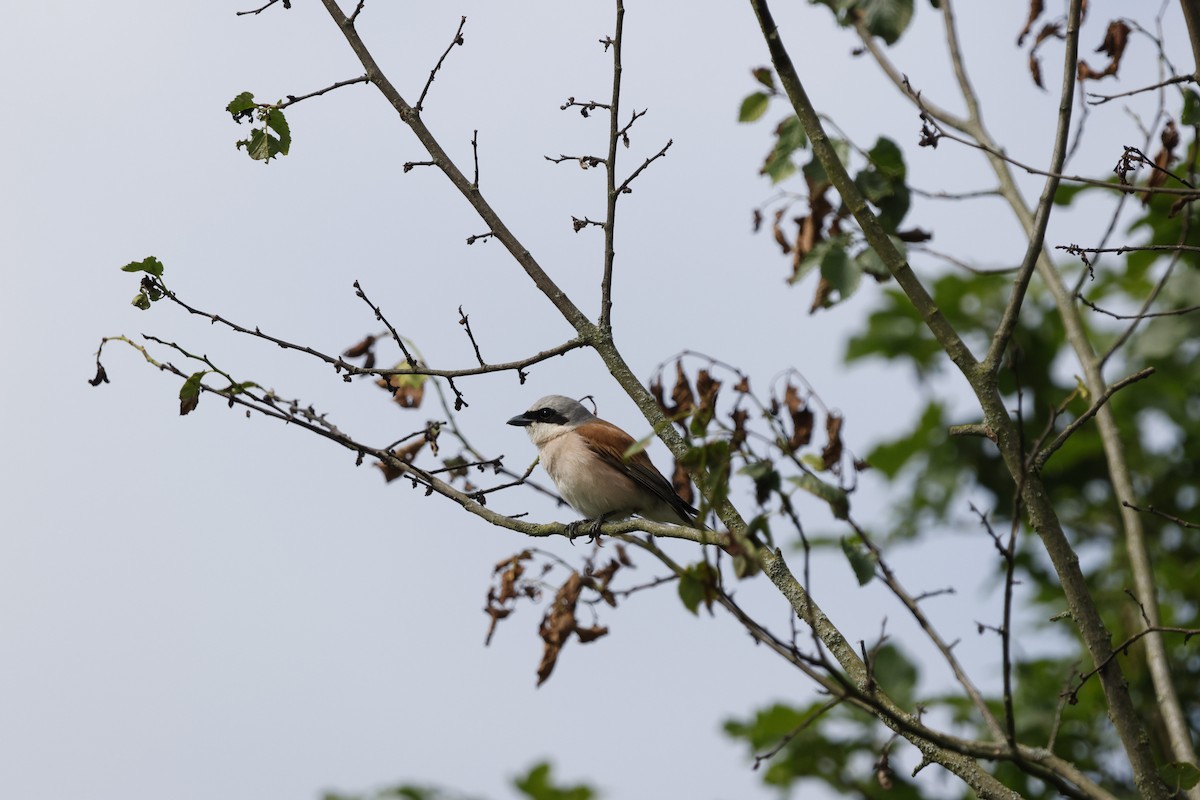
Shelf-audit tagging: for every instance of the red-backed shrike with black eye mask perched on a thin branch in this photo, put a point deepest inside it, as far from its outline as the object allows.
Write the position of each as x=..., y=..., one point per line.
x=586, y=459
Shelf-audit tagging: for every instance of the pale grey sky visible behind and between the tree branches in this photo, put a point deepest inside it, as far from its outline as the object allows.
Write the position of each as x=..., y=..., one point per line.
x=211, y=607
